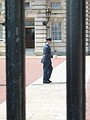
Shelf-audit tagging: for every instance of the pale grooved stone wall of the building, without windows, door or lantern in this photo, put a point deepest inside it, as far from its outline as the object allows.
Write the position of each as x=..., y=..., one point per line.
x=36, y=10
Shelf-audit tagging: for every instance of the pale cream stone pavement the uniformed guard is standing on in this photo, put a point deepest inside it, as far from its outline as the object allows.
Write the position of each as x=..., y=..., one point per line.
x=47, y=101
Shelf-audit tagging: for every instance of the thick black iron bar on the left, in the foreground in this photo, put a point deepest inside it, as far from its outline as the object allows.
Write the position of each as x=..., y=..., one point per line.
x=15, y=59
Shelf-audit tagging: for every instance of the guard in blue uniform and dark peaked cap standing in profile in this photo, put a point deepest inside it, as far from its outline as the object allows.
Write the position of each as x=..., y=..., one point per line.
x=46, y=60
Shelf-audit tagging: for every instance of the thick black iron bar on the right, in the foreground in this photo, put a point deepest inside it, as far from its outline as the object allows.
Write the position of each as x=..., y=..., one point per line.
x=75, y=59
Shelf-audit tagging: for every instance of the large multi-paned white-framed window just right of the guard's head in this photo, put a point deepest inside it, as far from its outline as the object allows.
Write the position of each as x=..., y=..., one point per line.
x=56, y=30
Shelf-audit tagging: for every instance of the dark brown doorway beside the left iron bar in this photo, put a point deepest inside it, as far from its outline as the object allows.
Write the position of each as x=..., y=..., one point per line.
x=30, y=39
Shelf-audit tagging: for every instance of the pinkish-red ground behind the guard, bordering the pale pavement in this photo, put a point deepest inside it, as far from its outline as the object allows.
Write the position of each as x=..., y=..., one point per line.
x=33, y=71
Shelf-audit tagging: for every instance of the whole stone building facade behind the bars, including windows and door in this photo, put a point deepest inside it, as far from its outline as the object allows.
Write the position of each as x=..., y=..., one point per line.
x=36, y=31
